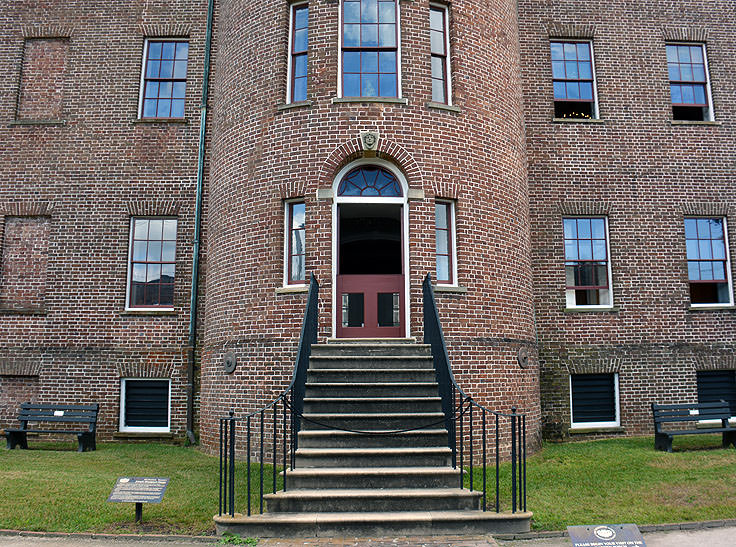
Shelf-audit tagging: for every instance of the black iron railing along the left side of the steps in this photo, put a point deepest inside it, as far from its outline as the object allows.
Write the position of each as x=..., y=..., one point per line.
x=291, y=401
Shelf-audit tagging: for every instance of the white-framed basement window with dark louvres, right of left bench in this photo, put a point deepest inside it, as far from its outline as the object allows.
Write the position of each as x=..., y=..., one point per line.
x=145, y=405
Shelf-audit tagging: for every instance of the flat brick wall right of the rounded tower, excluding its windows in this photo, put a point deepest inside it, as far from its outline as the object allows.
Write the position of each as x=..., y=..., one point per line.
x=646, y=174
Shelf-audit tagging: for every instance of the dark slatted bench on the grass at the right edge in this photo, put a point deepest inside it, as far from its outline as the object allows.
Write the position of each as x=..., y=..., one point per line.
x=692, y=412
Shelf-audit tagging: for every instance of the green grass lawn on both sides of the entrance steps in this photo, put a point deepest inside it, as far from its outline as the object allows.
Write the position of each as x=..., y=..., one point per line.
x=52, y=487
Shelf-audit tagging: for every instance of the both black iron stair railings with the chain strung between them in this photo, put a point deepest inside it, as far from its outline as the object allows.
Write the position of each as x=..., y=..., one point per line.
x=508, y=430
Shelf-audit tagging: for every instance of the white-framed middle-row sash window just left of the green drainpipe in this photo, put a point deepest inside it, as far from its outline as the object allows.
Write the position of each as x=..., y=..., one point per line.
x=151, y=263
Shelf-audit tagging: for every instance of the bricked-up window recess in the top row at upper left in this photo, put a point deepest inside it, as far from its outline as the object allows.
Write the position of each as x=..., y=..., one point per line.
x=42, y=78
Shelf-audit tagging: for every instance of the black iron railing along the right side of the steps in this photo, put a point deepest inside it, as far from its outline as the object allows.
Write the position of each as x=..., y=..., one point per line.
x=455, y=414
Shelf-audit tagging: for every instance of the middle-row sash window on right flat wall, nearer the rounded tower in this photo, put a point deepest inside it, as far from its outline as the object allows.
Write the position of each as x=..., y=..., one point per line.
x=587, y=263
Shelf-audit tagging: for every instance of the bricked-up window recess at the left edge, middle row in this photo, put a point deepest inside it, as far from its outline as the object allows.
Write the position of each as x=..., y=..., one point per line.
x=23, y=261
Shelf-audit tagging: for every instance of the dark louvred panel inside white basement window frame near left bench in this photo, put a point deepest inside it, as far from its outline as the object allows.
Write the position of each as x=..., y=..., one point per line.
x=146, y=403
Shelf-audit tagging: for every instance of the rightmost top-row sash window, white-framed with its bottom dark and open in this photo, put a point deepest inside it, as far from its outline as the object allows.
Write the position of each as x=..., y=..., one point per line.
x=689, y=82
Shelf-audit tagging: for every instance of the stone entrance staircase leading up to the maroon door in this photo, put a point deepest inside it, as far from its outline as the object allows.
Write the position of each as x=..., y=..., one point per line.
x=351, y=484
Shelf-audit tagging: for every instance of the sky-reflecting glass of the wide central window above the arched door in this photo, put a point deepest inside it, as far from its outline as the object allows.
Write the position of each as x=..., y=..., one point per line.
x=369, y=48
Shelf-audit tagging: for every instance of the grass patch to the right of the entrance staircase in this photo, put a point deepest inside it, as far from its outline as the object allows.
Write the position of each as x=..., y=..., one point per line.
x=626, y=480
